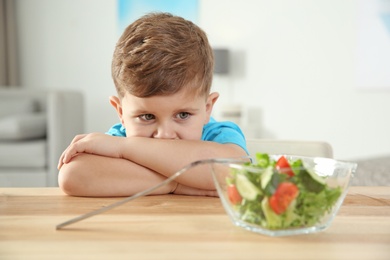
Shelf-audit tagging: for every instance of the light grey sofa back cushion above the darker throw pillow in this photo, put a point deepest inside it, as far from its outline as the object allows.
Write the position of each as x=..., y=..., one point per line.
x=16, y=105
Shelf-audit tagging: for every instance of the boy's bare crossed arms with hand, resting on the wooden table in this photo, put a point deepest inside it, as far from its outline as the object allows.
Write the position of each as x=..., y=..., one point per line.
x=102, y=165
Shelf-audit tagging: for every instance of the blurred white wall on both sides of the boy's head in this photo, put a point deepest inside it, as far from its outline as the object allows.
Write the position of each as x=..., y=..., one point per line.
x=292, y=61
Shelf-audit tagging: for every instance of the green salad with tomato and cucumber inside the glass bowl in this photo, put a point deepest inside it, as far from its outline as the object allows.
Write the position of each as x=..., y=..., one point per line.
x=280, y=193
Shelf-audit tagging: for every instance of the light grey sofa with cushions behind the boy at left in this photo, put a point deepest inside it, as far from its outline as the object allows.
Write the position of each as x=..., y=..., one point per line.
x=35, y=127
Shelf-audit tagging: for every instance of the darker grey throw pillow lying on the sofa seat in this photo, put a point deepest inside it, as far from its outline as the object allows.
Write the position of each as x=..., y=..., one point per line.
x=23, y=126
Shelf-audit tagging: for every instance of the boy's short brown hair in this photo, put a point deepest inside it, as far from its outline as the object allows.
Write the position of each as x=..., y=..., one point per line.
x=160, y=53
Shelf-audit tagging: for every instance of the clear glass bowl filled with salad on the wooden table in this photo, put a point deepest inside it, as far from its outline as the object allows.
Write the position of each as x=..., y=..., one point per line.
x=279, y=199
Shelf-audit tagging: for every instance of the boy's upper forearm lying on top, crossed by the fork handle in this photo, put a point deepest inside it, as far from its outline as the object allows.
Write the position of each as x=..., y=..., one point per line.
x=168, y=156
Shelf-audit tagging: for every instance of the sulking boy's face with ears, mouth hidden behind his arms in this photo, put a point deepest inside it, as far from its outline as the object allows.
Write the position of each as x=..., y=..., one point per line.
x=178, y=116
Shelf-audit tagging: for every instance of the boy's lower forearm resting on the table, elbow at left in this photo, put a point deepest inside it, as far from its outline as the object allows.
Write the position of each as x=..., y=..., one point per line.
x=95, y=176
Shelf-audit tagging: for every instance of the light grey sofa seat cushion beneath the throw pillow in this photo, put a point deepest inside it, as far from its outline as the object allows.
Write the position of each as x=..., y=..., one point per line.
x=23, y=154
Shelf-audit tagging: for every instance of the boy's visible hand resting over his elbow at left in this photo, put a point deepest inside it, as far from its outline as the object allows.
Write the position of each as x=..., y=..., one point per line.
x=95, y=143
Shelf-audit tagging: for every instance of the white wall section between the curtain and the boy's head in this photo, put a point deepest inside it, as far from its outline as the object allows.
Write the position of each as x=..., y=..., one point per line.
x=69, y=45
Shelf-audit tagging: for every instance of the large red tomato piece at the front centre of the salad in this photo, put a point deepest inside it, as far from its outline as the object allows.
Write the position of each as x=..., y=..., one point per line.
x=285, y=193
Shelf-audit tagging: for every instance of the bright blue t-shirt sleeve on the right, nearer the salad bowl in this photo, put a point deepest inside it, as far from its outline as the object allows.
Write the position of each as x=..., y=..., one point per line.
x=223, y=133
